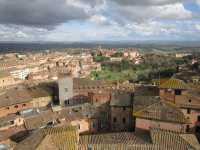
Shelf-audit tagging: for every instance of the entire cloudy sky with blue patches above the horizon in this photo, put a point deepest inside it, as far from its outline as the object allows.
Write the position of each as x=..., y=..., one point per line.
x=97, y=20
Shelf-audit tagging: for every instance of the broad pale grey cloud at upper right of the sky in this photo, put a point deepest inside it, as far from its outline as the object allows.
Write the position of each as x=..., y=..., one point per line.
x=125, y=14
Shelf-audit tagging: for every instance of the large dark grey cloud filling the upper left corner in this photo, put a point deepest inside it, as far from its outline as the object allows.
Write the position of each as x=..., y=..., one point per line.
x=39, y=13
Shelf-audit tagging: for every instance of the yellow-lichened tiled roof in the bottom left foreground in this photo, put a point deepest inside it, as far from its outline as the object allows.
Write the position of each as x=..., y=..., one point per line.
x=52, y=138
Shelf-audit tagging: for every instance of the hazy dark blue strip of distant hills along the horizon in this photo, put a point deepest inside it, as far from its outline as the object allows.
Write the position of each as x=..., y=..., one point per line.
x=146, y=45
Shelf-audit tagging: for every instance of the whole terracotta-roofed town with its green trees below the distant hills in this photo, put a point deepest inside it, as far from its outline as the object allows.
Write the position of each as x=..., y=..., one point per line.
x=104, y=99
